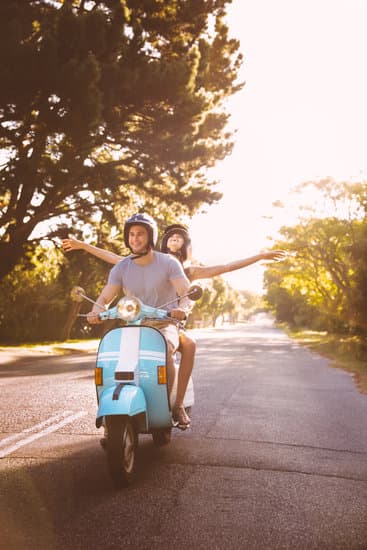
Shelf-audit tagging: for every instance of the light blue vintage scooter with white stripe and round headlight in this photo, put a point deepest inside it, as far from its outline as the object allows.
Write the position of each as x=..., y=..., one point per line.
x=131, y=383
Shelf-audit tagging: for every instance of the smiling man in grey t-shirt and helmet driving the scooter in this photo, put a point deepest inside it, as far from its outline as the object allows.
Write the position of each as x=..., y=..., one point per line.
x=156, y=279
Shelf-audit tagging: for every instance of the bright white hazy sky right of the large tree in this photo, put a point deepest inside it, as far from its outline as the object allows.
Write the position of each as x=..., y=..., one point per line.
x=301, y=116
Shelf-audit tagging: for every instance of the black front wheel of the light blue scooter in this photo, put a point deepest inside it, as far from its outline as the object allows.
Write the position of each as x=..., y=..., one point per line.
x=121, y=448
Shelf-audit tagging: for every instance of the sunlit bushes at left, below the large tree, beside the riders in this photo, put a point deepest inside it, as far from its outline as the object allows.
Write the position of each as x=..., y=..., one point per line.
x=36, y=295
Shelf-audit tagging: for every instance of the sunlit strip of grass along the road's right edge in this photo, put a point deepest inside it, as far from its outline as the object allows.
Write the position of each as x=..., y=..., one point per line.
x=346, y=352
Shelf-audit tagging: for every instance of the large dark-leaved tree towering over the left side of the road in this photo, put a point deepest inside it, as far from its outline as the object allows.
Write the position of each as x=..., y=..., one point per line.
x=100, y=96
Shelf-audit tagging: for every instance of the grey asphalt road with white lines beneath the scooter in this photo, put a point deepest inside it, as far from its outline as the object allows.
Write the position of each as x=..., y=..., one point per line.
x=276, y=457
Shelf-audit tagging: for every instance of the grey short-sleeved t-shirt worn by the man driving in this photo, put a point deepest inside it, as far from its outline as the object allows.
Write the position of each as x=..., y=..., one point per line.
x=151, y=282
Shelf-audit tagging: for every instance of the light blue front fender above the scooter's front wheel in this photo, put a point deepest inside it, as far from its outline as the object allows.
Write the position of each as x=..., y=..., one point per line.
x=121, y=399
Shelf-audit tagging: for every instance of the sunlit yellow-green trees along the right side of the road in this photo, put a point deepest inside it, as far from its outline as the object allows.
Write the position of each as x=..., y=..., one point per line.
x=322, y=284
